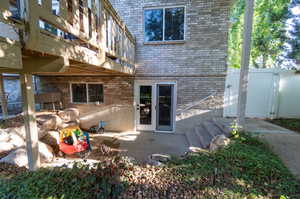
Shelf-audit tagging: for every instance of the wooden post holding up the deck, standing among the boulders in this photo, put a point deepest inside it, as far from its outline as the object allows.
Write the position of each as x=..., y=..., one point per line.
x=30, y=122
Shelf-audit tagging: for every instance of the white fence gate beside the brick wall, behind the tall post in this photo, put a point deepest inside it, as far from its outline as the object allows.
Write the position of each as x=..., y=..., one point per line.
x=262, y=93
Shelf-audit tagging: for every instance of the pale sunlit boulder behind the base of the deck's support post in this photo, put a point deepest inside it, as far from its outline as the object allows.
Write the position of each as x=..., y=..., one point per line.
x=19, y=156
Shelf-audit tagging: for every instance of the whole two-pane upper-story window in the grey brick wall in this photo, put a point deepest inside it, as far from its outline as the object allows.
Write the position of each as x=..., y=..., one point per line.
x=164, y=24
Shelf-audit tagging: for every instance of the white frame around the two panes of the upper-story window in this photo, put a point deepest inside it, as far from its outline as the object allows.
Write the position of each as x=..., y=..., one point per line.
x=164, y=21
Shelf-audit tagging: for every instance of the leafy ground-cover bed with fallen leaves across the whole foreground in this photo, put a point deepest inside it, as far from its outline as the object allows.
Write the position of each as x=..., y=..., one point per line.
x=245, y=169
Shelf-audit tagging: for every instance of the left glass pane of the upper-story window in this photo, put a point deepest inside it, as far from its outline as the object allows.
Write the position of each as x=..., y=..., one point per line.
x=153, y=25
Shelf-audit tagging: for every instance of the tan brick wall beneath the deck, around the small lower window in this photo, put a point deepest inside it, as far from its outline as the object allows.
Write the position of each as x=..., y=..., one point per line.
x=117, y=109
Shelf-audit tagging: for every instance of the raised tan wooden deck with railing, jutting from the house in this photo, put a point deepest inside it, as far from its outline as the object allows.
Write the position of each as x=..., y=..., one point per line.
x=64, y=36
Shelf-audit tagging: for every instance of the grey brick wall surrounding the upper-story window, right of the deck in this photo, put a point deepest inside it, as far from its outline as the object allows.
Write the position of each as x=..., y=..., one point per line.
x=199, y=64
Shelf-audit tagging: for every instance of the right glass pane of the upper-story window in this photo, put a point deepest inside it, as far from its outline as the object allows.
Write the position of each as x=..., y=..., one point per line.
x=174, y=23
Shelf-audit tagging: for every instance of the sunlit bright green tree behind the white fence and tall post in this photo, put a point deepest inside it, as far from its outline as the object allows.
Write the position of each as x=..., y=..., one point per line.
x=269, y=32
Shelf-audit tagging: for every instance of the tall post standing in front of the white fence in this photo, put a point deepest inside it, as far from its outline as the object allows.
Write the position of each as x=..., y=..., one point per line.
x=244, y=72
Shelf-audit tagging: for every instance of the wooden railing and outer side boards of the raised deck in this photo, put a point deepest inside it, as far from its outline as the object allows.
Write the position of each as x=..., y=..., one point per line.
x=83, y=30
